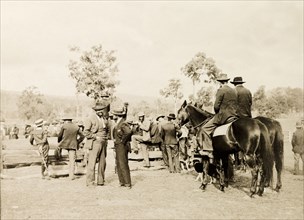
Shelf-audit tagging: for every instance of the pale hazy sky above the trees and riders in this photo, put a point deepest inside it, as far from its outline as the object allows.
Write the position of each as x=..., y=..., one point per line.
x=258, y=40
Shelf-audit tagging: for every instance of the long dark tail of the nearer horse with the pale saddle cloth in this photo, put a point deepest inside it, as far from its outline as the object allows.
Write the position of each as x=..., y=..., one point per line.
x=266, y=152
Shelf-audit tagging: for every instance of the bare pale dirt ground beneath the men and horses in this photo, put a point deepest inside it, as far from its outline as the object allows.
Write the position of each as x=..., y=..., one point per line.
x=156, y=194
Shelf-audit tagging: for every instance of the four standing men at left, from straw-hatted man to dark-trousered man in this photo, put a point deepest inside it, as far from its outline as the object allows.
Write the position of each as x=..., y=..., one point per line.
x=96, y=130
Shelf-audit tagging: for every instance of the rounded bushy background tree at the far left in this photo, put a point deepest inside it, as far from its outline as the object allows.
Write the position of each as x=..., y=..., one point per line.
x=30, y=104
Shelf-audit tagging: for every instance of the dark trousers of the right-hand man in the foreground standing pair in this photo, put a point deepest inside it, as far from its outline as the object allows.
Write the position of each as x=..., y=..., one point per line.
x=122, y=164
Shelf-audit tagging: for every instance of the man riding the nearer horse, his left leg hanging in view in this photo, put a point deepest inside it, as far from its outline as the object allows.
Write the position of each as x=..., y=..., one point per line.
x=225, y=107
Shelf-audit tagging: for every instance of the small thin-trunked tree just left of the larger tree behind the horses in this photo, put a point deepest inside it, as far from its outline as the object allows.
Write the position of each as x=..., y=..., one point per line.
x=173, y=90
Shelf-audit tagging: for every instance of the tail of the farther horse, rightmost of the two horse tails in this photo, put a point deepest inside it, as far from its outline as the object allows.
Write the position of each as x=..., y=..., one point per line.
x=278, y=147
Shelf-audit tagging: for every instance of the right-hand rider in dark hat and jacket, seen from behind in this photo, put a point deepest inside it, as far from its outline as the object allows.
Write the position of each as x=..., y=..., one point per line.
x=244, y=98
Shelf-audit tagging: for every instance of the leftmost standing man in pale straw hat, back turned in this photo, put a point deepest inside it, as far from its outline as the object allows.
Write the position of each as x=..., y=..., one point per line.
x=39, y=135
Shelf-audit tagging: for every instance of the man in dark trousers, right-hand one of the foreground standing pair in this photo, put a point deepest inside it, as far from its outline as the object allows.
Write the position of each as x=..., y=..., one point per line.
x=122, y=136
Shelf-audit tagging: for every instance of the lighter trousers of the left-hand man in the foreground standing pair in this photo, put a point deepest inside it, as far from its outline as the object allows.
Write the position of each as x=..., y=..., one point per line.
x=97, y=153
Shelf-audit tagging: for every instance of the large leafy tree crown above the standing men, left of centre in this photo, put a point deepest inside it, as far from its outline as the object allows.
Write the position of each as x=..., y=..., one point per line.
x=94, y=72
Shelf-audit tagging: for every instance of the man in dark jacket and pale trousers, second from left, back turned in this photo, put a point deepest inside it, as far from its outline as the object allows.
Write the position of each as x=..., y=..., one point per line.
x=68, y=138
